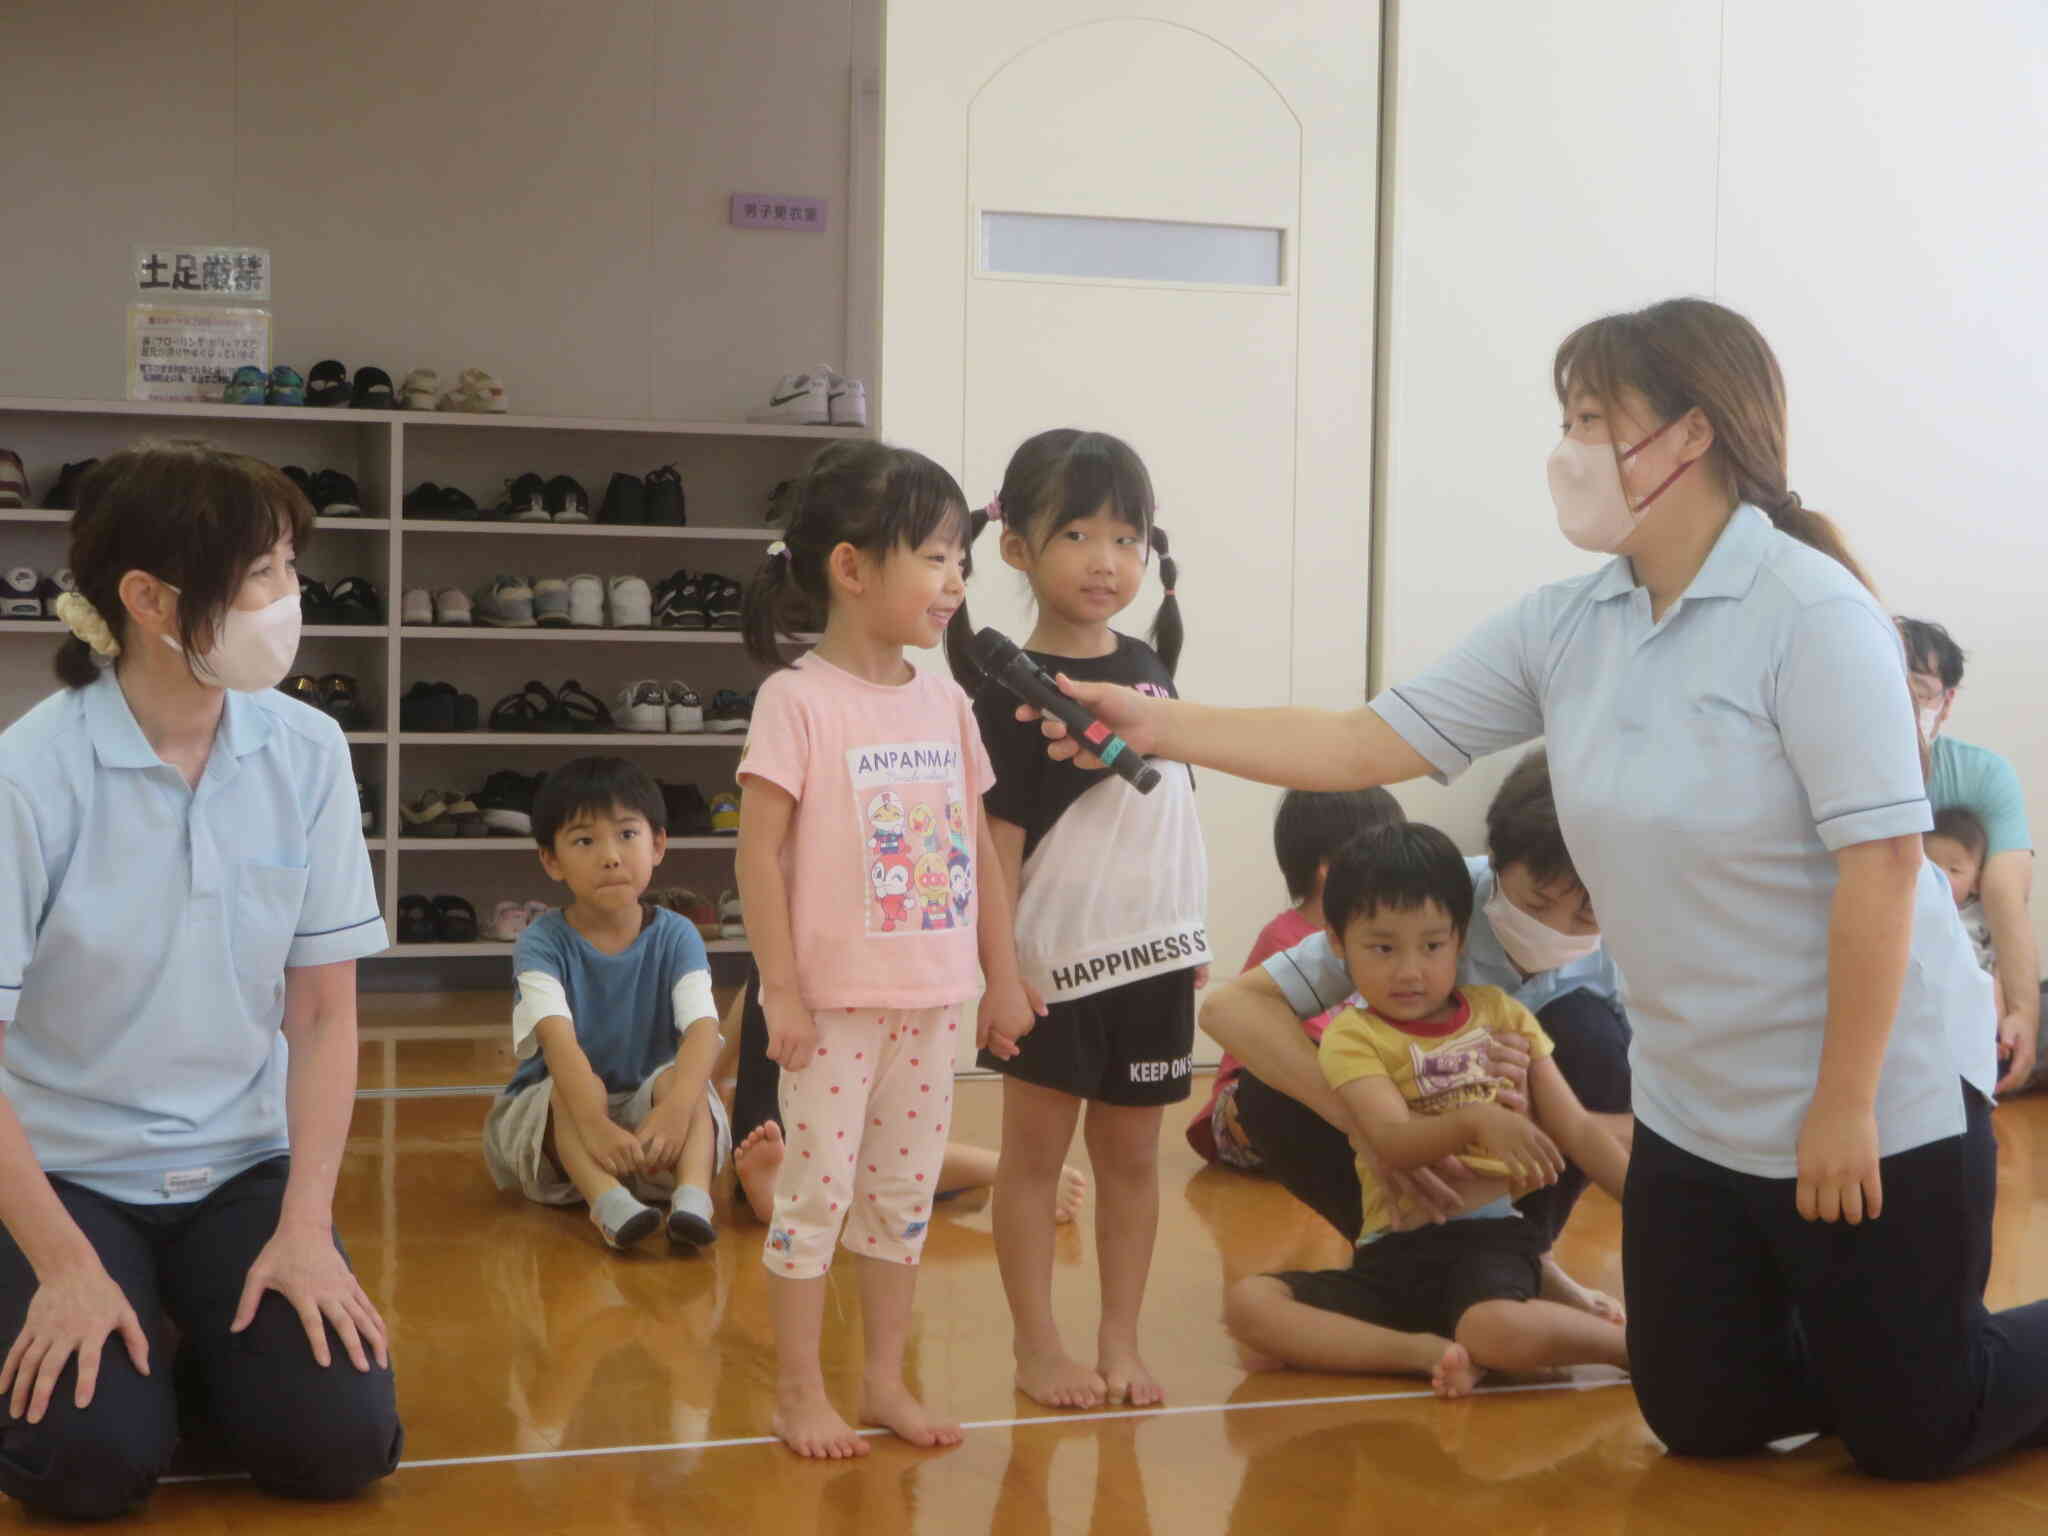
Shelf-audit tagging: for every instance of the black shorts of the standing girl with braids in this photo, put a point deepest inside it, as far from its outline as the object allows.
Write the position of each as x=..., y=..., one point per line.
x=1129, y=1046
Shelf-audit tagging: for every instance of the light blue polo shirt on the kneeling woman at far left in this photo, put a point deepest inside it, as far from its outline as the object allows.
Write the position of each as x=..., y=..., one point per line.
x=146, y=929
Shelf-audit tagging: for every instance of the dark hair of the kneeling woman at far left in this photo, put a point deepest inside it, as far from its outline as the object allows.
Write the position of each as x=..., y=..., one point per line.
x=185, y=513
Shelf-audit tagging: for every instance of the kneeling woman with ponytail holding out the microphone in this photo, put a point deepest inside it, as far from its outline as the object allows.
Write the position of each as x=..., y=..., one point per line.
x=1740, y=783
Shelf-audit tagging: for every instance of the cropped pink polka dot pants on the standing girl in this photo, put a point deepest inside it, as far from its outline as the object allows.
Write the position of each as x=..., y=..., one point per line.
x=867, y=1134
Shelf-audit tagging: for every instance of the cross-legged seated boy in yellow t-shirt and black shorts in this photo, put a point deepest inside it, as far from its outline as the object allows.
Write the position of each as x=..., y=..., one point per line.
x=1408, y=1056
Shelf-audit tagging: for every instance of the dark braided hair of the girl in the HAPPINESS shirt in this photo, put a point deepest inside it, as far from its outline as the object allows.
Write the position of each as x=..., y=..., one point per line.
x=1062, y=478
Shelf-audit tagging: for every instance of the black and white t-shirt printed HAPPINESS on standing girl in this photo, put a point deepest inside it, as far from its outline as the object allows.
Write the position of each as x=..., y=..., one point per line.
x=1115, y=884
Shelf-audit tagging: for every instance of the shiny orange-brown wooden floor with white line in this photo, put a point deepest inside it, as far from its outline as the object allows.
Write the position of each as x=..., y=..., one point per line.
x=552, y=1388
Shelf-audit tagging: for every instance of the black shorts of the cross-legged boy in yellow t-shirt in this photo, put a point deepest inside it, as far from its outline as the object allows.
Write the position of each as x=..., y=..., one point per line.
x=1422, y=1281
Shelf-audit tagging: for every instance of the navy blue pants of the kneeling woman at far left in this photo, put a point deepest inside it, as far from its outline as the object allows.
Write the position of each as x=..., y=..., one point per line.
x=257, y=1400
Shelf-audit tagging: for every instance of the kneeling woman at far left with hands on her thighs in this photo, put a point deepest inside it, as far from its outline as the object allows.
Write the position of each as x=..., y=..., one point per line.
x=183, y=900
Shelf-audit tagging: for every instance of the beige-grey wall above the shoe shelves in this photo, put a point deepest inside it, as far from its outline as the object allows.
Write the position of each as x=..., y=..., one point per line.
x=529, y=187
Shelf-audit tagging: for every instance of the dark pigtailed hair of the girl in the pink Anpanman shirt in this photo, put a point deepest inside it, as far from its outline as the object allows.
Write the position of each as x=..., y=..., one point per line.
x=863, y=495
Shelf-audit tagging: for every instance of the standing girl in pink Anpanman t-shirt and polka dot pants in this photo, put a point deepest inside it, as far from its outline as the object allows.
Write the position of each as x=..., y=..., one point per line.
x=861, y=869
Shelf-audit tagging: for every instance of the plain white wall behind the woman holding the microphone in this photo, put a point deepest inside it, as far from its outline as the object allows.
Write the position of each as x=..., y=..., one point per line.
x=1861, y=179
